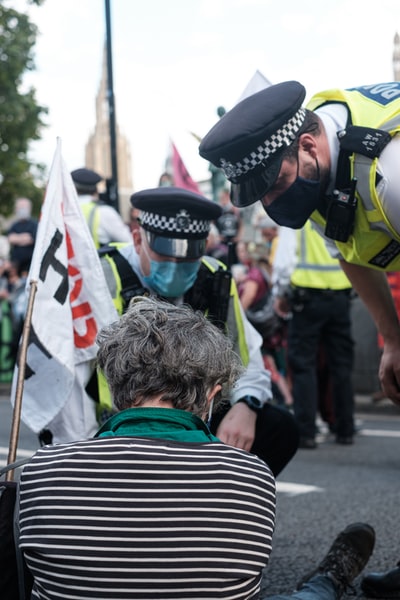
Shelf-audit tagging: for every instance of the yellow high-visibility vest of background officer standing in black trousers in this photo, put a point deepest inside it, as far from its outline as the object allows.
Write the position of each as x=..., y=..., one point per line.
x=316, y=268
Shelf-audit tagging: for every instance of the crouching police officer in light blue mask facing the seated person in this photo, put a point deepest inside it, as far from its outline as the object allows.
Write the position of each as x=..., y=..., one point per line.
x=167, y=260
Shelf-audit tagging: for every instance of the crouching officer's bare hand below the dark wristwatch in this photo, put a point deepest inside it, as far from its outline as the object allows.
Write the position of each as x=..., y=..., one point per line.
x=238, y=427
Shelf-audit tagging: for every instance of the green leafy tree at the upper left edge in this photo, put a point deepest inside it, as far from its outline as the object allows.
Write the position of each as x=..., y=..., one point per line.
x=20, y=115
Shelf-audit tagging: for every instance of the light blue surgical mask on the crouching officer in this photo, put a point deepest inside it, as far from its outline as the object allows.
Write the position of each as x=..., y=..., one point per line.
x=171, y=279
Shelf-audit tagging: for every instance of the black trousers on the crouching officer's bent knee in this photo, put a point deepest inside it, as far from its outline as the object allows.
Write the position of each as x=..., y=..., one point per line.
x=277, y=435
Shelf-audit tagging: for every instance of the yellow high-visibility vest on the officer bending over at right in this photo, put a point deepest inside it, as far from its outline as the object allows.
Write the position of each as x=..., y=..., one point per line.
x=374, y=243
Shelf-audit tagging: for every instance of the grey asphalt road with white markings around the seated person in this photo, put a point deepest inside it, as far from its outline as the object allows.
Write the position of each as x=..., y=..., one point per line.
x=319, y=493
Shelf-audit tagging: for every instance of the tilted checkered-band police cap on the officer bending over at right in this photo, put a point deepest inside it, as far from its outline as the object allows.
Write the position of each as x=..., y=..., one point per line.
x=248, y=142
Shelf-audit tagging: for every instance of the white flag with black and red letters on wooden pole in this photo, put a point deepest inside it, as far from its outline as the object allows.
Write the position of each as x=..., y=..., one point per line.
x=72, y=301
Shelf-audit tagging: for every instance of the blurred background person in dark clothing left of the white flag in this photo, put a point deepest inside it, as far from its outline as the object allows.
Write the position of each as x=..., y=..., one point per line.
x=22, y=235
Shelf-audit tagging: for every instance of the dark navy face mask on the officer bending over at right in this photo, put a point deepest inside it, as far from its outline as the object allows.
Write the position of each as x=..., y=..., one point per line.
x=294, y=207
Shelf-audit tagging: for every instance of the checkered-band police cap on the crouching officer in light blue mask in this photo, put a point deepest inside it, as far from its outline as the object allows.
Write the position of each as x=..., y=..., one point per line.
x=176, y=221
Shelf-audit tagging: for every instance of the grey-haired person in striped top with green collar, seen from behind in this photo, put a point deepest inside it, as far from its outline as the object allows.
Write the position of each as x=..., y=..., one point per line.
x=154, y=506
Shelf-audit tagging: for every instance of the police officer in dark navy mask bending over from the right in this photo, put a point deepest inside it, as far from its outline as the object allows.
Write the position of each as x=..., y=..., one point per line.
x=335, y=161
